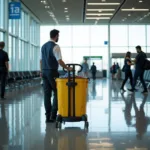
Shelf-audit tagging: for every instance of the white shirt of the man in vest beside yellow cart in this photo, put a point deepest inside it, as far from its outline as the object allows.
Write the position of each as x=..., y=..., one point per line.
x=56, y=52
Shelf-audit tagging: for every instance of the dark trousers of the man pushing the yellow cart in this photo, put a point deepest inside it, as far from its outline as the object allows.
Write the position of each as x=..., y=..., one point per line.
x=49, y=85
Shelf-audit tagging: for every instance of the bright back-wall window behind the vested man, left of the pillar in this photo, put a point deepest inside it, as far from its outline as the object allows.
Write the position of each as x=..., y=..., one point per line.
x=79, y=41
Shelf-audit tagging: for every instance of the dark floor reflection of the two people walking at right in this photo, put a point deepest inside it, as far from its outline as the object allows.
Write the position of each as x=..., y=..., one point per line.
x=140, y=121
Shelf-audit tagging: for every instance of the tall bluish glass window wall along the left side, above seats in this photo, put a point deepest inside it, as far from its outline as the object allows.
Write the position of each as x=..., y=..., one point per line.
x=19, y=32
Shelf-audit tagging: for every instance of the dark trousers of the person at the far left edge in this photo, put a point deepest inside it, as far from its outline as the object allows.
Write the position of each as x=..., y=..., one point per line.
x=3, y=76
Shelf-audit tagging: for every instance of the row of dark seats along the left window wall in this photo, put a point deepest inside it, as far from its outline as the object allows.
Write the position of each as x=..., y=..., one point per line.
x=17, y=79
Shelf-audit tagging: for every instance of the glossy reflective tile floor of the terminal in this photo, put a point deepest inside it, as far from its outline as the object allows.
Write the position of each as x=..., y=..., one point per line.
x=117, y=121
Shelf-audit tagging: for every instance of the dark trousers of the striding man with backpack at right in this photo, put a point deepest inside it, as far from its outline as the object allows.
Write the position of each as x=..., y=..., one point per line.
x=140, y=74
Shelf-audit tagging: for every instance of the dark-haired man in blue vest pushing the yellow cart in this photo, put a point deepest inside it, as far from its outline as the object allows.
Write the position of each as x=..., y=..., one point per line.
x=51, y=58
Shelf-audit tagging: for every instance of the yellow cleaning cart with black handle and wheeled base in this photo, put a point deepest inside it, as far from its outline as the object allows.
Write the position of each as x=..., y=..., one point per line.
x=72, y=97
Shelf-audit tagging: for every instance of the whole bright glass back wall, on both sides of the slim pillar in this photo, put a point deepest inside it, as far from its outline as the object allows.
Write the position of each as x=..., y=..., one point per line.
x=79, y=41
